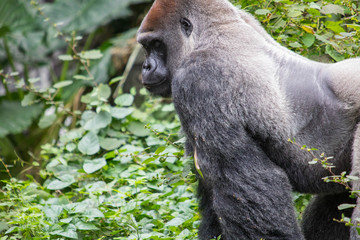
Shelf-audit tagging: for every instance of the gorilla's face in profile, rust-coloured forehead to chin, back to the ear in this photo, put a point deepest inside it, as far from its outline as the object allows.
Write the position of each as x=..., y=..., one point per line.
x=166, y=36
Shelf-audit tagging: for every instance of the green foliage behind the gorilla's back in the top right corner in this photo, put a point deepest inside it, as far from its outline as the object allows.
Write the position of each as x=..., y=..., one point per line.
x=312, y=28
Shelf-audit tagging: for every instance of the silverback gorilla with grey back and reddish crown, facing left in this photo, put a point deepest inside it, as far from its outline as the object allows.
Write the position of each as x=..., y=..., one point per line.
x=240, y=96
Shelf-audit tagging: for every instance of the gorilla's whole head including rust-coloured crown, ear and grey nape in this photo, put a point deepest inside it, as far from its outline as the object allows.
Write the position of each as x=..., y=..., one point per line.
x=170, y=29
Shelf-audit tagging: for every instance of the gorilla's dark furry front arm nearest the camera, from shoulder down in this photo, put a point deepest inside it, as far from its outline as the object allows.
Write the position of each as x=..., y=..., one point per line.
x=244, y=188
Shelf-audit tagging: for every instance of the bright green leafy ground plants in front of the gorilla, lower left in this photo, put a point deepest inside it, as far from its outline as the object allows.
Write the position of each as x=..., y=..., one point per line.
x=108, y=177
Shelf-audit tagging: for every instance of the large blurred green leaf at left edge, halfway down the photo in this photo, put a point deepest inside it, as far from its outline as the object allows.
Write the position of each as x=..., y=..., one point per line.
x=14, y=118
